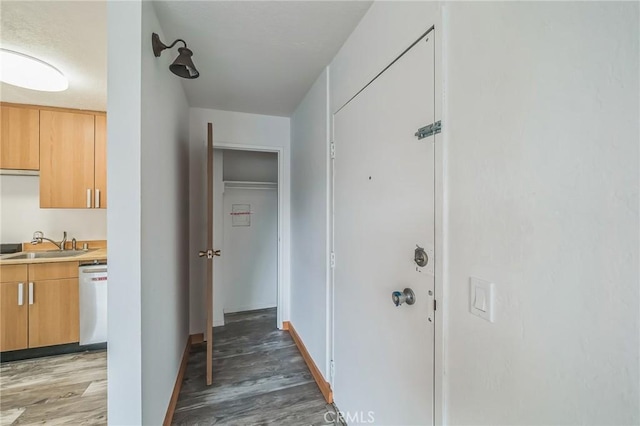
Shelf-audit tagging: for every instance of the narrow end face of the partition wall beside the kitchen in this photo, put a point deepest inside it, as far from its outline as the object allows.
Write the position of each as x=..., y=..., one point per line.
x=124, y=358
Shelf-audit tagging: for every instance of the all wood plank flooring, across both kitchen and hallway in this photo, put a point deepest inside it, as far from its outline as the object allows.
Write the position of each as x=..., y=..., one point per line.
x=259, y=377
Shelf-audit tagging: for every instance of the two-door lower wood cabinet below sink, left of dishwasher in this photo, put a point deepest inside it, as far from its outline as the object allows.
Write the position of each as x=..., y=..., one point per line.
x=40, y=307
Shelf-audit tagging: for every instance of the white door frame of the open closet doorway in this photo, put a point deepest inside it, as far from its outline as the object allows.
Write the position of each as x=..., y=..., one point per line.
x=283, y=301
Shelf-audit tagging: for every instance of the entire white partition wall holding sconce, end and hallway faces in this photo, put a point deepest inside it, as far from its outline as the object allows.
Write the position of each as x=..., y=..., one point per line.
x=147, y=219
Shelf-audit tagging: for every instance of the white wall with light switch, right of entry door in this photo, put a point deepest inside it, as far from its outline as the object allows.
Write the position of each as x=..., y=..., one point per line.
x=545, y=205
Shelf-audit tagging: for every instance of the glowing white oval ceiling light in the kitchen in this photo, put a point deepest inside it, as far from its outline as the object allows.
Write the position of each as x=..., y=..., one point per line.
x=26, y=71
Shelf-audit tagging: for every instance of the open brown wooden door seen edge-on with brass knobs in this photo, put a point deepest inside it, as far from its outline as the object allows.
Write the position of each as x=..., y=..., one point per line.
x=209, y=254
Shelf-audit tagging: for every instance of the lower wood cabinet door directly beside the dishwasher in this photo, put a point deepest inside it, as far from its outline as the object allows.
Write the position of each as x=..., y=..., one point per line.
x=54, y=313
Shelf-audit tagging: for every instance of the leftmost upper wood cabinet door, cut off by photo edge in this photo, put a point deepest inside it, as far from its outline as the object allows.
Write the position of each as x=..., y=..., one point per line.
x=19, y=138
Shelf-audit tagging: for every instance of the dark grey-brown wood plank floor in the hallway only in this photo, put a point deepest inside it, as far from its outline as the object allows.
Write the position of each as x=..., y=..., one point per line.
x=259, y=377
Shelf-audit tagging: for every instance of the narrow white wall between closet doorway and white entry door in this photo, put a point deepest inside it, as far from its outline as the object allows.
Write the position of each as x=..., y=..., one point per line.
x=309, y=221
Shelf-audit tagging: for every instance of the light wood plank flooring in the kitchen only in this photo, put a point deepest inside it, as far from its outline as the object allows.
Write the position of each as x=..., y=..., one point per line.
x=58, y=390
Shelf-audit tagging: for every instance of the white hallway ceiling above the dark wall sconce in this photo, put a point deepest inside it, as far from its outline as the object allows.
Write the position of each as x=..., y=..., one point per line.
x=259, y=57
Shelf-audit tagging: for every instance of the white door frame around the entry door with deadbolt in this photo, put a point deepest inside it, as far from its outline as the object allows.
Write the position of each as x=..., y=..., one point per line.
x=440, y=208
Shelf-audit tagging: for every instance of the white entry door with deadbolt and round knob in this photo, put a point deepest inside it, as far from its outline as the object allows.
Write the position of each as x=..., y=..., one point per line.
x=384, y=208
